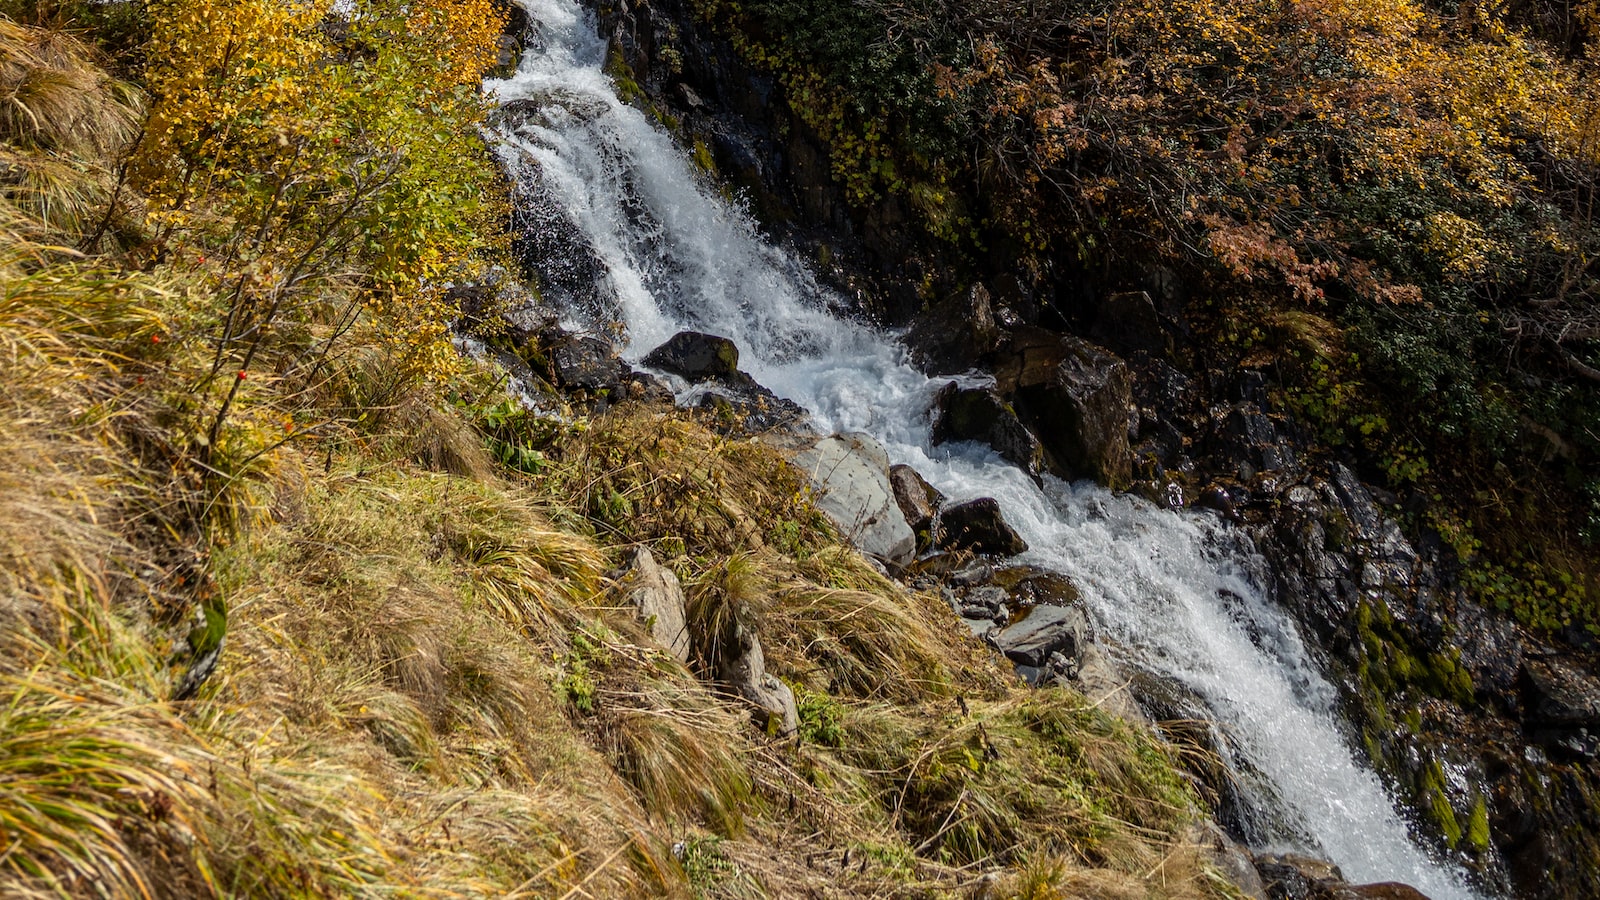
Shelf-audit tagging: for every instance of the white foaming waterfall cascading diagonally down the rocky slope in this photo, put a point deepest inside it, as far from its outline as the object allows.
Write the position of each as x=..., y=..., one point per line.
x=1174, y=590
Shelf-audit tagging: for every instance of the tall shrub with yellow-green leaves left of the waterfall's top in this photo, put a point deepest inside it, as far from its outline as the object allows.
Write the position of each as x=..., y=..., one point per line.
x=321, y=169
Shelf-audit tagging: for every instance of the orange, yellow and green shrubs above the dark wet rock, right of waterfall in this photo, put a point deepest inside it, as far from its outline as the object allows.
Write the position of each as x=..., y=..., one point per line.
x=1390, y=204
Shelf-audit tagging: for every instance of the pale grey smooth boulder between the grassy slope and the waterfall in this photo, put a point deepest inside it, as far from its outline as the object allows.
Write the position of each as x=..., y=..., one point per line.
x=850, y=476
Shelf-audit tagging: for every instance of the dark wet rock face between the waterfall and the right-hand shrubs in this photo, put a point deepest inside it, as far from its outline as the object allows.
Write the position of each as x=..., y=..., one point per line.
x=1487, y=731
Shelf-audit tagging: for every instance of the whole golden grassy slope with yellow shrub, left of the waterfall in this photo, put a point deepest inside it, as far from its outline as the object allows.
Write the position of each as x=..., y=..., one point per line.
x=295, y=601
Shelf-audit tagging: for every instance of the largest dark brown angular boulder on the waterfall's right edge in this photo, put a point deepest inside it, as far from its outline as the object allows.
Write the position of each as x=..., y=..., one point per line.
x=1081, y=409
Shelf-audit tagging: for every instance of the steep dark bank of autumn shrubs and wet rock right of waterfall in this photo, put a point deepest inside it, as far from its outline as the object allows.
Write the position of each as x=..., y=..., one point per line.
x=1348, y=255
